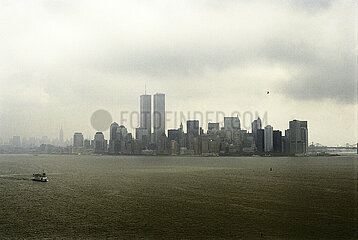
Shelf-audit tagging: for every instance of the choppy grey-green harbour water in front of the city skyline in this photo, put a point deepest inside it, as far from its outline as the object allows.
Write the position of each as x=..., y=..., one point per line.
x=95, y=197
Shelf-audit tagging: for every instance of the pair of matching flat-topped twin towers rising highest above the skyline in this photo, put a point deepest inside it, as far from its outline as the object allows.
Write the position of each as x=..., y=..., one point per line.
x=146, y=117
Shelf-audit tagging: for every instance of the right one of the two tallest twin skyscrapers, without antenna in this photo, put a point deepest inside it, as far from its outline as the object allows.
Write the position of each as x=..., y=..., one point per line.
x=158, y=116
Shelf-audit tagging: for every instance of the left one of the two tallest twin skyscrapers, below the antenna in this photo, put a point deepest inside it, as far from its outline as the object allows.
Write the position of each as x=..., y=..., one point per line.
x=146, y=113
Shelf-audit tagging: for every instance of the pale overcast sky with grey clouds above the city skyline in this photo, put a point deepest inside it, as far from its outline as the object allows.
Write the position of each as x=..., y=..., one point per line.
x=62, y=60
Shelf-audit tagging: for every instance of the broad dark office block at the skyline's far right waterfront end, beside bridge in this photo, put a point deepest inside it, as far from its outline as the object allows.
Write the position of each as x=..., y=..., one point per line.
x=298, y=137
